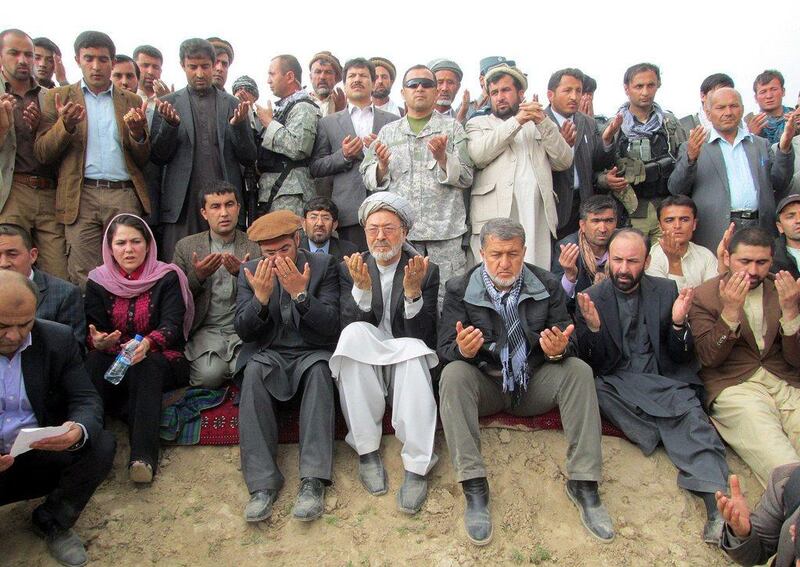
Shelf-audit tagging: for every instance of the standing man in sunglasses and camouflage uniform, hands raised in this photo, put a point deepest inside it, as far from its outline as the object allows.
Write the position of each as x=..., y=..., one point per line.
x=423, y=157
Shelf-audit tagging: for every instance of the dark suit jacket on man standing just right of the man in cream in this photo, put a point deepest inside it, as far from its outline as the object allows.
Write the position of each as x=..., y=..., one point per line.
x=589, y=156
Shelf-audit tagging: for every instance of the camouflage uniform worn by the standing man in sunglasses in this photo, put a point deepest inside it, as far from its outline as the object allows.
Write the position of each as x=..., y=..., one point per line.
x=436, y=196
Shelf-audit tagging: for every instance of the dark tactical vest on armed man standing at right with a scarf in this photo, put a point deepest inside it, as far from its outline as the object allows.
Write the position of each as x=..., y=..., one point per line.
x=647, y=163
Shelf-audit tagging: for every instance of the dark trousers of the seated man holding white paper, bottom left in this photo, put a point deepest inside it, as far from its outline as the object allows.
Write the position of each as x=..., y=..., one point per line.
x=67, y=478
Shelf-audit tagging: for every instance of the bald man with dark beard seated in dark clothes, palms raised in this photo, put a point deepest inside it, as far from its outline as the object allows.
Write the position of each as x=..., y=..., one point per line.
x=632, y=329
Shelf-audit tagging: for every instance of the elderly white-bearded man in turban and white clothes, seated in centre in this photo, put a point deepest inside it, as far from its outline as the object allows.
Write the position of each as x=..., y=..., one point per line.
x=388, y=313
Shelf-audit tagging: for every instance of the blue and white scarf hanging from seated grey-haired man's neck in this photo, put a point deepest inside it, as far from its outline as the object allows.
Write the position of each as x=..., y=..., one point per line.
x=515, y=365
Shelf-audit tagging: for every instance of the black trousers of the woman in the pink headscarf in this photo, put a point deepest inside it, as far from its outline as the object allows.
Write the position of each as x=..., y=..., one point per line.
x=137, y=399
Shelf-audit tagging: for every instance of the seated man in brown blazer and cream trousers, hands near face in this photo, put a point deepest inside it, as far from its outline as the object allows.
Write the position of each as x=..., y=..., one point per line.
x=746, y=326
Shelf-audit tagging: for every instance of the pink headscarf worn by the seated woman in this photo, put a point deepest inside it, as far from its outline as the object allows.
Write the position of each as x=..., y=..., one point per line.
x=108, y=275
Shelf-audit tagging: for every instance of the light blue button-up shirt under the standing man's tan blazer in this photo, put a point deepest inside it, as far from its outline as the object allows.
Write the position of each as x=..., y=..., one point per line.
x=105, y=158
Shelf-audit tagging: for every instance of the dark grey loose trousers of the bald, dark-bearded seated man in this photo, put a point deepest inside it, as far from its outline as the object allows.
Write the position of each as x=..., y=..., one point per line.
x=691, y=442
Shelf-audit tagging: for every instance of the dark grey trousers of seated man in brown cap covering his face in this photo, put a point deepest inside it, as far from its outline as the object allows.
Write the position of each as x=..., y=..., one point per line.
x=258, y=428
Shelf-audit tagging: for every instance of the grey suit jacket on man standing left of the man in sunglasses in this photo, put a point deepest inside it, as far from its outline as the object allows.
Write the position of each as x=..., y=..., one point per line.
x=327, y=159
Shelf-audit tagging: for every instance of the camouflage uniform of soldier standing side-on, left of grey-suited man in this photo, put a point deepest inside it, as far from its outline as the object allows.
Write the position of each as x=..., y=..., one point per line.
x=295, y=140
